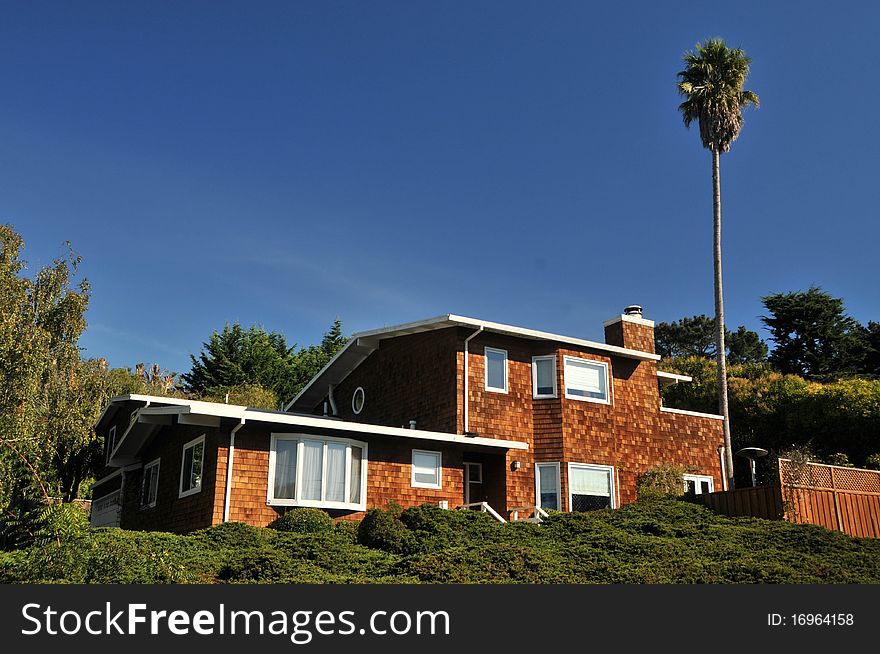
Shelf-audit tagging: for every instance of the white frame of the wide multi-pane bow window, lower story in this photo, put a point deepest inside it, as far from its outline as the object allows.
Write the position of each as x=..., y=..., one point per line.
x=322, y=503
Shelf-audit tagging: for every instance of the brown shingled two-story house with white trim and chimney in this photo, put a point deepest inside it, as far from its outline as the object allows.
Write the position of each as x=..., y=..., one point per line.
x=452, y=410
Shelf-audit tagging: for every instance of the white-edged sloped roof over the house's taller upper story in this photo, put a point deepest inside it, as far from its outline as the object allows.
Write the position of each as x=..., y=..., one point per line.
x=363, y=344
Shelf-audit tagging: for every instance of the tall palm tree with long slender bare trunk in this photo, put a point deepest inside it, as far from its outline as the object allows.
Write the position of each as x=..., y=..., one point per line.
x=712, y=87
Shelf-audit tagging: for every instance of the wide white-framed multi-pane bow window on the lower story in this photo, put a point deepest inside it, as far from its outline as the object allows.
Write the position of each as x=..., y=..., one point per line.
x=317, y=471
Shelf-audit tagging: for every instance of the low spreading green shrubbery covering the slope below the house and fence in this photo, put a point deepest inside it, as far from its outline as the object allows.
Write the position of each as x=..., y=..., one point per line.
x=650, y=541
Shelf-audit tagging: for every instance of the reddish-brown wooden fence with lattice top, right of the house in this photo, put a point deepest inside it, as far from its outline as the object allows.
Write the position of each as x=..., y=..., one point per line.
x=845, y=499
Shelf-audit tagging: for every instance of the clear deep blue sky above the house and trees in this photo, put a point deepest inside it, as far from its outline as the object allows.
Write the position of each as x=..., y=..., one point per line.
x=286, y=163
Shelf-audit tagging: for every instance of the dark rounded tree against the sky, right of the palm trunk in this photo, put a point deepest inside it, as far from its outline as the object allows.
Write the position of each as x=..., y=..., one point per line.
x=813, y=337
